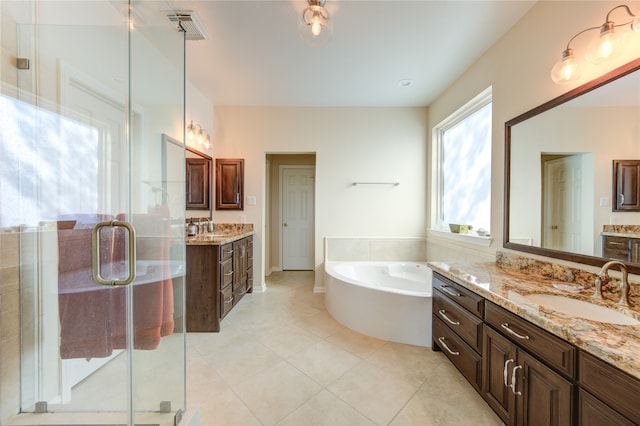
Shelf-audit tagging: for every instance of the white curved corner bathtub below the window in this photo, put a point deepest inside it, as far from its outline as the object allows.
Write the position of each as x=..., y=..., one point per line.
x=387, y=300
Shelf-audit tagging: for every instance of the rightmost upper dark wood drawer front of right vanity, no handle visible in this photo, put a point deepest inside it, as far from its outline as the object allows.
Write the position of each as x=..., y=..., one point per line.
x=615, y=388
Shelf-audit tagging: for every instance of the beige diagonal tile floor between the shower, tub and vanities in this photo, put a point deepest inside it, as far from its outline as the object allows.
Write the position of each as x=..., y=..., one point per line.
x=281, y=359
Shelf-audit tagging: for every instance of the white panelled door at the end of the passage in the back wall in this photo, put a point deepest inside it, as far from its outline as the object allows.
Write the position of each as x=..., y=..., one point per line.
x=298, y=205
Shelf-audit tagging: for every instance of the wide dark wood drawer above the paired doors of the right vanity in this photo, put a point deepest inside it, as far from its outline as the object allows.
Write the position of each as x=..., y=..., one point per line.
x=554, y=351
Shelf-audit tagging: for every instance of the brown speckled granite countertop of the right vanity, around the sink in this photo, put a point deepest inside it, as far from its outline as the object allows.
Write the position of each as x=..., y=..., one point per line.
x=618, y=345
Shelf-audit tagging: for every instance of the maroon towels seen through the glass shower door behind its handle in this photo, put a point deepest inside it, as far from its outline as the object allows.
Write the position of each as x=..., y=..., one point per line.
x=93, y=317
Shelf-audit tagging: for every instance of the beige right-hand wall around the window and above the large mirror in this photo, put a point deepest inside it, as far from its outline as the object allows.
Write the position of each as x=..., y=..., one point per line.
x=518, y=68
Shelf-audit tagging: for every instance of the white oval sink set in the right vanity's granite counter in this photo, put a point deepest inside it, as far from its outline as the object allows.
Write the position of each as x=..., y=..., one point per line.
x=581, y=309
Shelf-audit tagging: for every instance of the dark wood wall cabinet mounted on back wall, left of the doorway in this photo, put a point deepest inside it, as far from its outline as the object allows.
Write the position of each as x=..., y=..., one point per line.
x=229, y=184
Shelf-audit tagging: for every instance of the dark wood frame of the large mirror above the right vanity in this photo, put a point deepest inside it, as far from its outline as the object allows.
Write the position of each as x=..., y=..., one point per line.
x=574, y=93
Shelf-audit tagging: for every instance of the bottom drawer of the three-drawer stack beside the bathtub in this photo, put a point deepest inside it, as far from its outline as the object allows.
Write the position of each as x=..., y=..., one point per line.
x=459, y=353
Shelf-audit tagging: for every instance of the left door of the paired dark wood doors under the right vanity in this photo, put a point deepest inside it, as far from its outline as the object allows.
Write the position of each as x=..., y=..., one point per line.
x=499, y=357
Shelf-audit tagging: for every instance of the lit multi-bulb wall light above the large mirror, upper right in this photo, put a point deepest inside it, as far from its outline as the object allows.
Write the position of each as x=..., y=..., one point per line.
x=611, y=41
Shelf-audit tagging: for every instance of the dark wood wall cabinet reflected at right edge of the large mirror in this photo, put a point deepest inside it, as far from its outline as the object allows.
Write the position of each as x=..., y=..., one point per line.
x=626, y=185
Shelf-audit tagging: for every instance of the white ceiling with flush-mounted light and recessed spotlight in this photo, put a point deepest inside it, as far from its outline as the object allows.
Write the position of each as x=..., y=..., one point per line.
x=253, y=55
